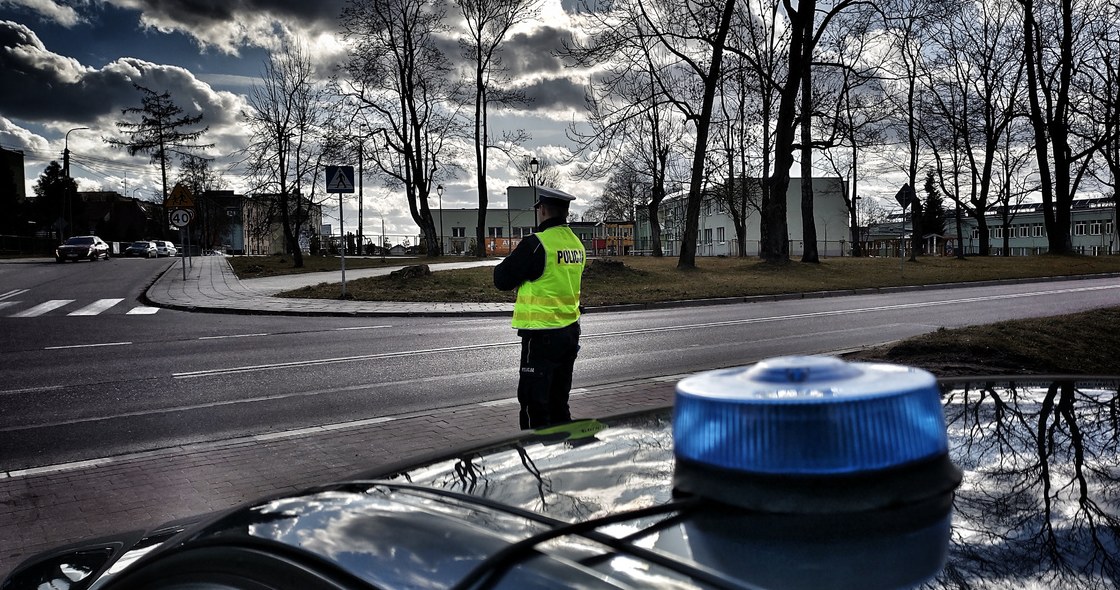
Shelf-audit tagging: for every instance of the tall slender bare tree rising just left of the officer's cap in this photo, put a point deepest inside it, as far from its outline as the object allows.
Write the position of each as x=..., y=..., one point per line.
x=489, y=22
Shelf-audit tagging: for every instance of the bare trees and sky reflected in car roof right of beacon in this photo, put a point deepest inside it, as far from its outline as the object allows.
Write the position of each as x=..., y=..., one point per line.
x=1040, y=498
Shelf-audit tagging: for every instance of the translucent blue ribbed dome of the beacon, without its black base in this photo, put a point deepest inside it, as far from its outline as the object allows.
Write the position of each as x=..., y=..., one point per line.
x=809, y=416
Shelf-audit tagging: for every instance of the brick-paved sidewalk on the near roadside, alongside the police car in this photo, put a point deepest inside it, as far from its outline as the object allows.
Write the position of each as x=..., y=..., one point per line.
x=42, y=509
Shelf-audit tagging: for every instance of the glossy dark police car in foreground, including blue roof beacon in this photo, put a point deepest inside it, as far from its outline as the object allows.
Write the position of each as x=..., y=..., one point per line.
x=797, y=473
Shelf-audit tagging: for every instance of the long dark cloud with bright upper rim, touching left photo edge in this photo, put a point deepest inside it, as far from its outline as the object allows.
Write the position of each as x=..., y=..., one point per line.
x=50, y=88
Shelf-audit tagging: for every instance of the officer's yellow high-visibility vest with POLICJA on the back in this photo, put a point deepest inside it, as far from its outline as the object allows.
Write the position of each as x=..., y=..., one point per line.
x=553, y=301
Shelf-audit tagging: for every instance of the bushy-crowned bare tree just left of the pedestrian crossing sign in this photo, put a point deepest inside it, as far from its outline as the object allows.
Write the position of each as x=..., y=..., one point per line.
x=287, y=117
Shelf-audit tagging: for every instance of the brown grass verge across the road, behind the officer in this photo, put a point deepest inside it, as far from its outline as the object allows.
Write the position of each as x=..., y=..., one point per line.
x=650, y=280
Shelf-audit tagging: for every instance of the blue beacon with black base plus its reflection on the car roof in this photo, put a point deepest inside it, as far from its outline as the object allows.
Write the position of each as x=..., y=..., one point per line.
x=815, y=473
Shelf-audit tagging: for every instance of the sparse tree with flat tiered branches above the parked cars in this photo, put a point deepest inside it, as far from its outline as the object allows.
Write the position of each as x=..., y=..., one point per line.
x=161, y=132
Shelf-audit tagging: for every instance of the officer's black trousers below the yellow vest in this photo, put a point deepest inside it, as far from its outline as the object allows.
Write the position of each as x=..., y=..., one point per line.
x=547, y=362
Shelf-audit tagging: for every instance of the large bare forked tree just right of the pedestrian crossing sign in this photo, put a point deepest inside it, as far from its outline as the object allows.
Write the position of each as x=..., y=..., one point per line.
x=403, y=82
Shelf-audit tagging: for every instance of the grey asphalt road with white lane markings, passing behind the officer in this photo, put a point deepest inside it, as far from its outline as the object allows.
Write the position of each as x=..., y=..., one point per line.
x=85, y=387
